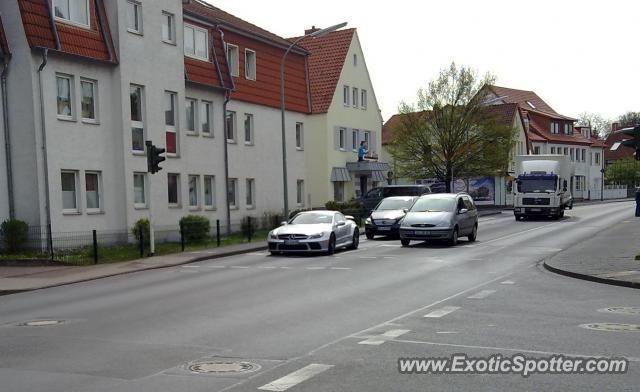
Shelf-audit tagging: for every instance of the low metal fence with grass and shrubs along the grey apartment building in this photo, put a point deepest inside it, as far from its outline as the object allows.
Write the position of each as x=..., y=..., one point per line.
x=101, y=246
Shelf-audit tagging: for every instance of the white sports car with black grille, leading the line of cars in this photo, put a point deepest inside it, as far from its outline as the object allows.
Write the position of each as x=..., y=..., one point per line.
x=315, y=231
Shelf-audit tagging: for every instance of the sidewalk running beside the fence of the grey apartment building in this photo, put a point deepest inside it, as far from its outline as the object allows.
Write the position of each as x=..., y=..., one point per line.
x=15, y=279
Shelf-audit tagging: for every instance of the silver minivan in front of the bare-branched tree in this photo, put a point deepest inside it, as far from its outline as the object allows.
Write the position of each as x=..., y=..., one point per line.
x=440, y=216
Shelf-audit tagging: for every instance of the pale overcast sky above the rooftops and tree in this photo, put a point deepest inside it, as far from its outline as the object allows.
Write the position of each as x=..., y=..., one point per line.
x=576, y=55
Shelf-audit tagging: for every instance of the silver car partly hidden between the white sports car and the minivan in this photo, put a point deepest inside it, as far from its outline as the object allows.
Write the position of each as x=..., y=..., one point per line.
x=385, y=217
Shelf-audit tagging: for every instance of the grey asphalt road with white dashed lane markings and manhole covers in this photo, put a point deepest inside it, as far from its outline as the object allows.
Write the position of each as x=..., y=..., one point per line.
x=329, y=323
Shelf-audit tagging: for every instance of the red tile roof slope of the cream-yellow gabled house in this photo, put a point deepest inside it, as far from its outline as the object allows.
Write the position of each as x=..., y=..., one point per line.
x=326, y=59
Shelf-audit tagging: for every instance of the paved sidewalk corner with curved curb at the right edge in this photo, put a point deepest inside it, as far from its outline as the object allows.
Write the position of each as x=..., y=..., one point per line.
x=609, y=257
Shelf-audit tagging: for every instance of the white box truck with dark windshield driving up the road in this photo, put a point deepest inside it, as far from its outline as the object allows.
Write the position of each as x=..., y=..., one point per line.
x=543, y=186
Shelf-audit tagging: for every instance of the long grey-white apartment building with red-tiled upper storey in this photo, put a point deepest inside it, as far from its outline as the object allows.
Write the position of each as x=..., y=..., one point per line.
x=89, y=81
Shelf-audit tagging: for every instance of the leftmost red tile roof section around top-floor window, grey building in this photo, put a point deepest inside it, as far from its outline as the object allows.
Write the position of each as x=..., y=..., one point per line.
x=94, y=42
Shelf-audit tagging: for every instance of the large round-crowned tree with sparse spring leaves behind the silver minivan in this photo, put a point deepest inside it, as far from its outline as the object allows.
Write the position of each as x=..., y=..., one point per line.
x=451, y=131
